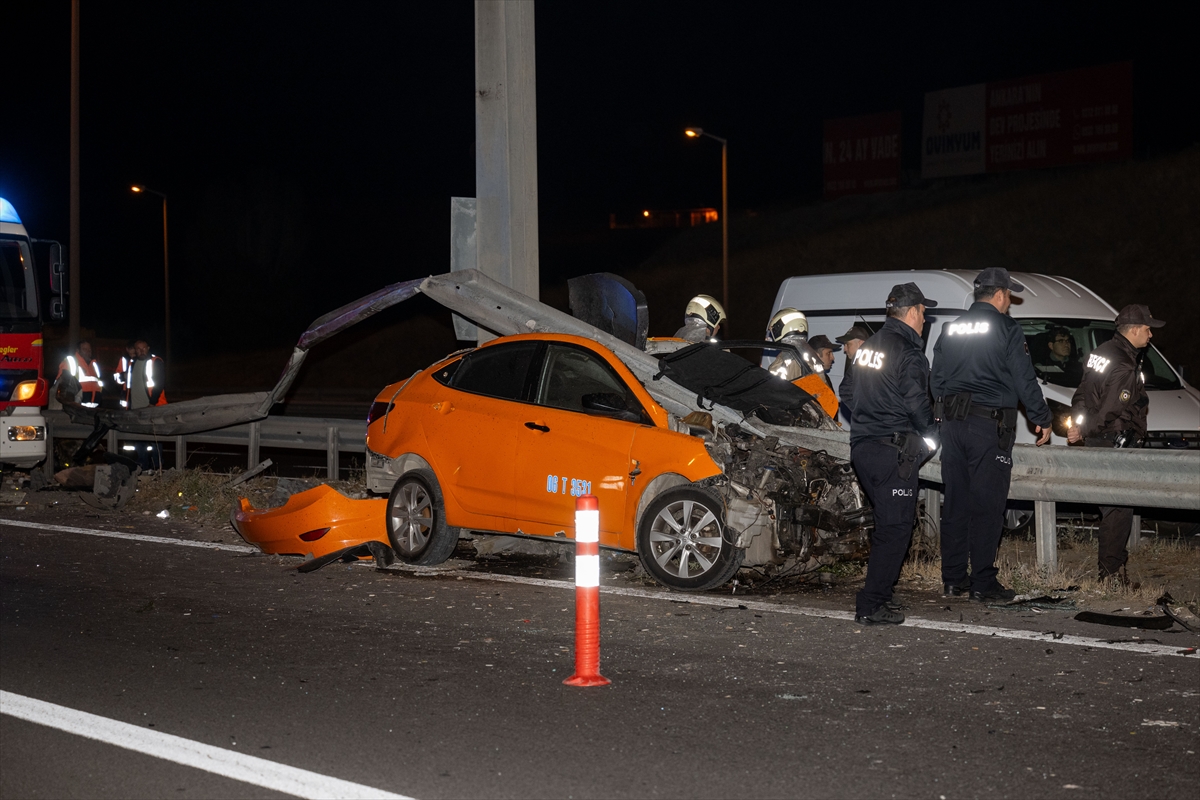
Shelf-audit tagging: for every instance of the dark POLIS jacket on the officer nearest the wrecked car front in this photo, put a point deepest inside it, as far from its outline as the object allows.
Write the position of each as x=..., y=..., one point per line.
x=891, y=393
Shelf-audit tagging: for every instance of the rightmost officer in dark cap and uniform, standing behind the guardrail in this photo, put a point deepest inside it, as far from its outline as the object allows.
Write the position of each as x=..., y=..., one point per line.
x=1109, y=411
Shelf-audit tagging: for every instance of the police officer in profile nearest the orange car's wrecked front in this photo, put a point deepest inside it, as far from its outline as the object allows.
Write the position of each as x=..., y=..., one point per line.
x=893, y=434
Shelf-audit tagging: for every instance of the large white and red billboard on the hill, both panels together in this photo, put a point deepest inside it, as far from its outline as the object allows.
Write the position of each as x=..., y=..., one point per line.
x=1066, y=118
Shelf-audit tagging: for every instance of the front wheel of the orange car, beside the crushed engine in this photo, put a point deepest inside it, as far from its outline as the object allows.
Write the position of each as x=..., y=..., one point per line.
x=683, y=544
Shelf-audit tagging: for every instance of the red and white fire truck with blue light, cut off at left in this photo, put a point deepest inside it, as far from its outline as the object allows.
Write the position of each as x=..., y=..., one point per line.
x=23, y=384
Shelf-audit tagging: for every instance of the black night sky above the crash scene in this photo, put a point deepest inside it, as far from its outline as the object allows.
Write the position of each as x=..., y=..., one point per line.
x=310, y=151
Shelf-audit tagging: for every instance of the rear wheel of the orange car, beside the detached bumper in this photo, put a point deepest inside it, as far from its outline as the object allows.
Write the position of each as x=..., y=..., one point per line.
x=417, y=520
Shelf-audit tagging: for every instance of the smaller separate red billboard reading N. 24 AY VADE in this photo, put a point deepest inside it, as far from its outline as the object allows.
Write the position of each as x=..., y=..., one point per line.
x=862, y=155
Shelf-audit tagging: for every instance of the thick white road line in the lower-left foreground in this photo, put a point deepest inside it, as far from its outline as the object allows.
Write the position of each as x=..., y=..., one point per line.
x=239, y=767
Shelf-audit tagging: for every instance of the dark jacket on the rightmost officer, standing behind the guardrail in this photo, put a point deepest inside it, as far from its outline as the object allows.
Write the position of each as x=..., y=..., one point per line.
x=1112, y=398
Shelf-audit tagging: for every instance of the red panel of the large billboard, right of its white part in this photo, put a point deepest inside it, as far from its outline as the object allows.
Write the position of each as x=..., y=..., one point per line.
x=1066, y=118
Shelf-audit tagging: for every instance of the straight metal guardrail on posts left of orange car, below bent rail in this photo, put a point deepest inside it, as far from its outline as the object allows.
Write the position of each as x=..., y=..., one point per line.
x=335, y=437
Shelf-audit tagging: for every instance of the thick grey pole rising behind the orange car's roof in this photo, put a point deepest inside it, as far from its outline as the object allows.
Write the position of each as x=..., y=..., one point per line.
x=507, y=145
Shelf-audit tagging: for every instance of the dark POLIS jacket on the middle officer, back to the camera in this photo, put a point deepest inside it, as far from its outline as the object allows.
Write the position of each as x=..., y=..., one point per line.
x=983, y=352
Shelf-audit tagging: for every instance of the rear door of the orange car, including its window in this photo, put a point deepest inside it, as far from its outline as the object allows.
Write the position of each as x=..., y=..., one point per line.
x=473, y=425
